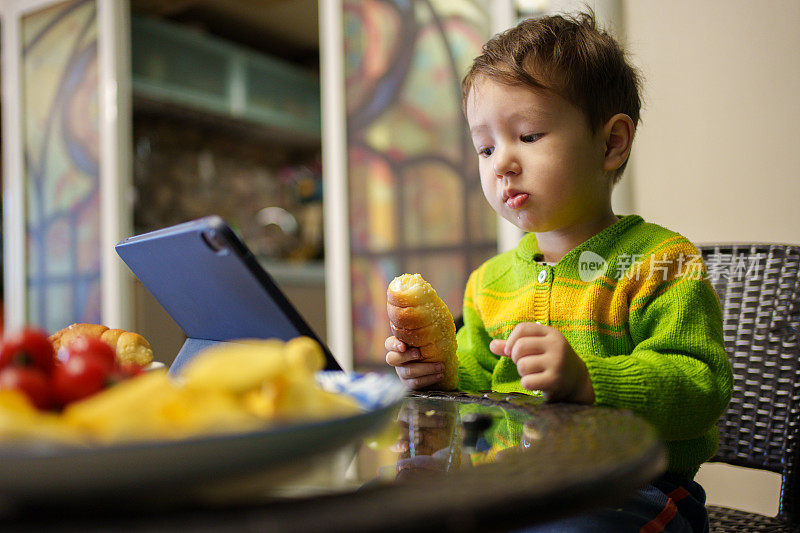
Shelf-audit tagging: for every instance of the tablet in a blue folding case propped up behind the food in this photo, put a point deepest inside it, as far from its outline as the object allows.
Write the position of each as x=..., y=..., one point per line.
x=210, y=283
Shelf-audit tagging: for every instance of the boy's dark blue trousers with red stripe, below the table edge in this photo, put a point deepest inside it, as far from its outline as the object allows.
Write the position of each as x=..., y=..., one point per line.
x=671, y=504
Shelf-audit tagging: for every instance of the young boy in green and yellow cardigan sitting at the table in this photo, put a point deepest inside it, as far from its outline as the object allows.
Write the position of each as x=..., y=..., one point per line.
x=590, y=307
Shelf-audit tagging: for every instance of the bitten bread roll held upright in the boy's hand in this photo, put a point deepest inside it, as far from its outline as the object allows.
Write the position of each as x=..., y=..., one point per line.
x=418, y=317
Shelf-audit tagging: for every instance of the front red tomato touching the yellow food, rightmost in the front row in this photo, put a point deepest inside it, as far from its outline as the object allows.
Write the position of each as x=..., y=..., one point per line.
x=80, y=376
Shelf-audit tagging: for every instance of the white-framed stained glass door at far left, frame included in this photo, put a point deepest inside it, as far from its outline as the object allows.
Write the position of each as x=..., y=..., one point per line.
x=64, y=165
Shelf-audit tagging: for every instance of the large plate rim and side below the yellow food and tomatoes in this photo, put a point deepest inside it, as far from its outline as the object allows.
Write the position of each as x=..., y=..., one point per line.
x=50, y=472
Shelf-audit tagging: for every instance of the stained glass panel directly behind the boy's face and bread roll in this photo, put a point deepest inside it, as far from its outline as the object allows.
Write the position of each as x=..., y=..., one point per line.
x=415, y=199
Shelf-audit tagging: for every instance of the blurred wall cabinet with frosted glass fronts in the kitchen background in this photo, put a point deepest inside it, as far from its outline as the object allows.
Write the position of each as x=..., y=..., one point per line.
x=176, y=66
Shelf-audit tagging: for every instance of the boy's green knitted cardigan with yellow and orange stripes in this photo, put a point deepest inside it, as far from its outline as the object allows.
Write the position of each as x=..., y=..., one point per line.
x=635, y=304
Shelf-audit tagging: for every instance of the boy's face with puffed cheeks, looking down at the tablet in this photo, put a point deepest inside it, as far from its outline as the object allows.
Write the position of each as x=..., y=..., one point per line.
x=541, y=166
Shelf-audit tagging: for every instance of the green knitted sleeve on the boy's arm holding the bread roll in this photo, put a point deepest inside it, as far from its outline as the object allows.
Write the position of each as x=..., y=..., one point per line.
x=475, y=361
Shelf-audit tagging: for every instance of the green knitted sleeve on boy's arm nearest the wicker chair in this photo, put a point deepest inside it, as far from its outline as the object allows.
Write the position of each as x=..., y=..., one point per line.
x=678, y=376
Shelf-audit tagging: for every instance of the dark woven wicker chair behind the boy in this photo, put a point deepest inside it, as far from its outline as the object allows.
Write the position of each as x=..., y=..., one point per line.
x=759, y=288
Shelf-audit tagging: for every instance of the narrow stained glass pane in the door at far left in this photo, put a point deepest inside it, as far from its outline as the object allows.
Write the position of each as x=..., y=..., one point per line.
x=60, y=113
